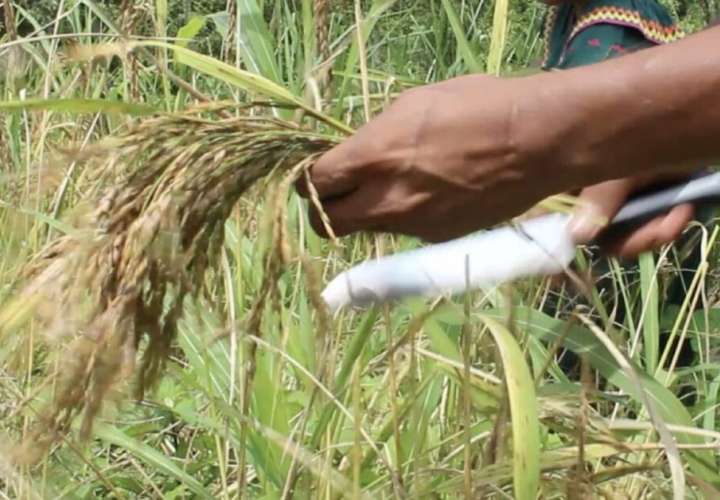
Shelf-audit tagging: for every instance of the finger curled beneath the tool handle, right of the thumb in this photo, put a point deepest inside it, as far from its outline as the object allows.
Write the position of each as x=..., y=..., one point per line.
x=659, y=231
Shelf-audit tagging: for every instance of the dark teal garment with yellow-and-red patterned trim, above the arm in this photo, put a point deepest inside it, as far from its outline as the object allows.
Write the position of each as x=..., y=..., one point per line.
x=585, y=32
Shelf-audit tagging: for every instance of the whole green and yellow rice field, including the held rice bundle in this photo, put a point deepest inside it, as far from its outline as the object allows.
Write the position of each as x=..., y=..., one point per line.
x=162, y=333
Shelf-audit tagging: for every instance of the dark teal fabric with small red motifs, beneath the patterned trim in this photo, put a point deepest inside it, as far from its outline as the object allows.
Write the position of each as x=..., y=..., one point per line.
x=601, y=42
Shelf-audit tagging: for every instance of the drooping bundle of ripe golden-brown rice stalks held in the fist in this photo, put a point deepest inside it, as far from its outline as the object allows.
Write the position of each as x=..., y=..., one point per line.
x=115, y=288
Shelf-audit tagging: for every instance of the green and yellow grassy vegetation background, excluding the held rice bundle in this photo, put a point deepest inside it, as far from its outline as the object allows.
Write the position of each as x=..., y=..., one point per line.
x=526, y=391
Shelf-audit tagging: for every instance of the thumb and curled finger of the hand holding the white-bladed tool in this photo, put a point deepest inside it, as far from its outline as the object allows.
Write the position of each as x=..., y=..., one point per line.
x=601, y=203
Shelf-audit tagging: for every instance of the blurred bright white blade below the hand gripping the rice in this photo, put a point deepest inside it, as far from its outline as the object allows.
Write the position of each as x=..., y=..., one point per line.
x=540, y=246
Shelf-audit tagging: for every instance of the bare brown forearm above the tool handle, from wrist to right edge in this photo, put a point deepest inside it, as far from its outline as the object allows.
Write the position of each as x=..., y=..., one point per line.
x=653, y=111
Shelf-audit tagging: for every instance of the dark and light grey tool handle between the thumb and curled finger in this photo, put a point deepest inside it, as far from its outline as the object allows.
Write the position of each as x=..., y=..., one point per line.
x=701, y=190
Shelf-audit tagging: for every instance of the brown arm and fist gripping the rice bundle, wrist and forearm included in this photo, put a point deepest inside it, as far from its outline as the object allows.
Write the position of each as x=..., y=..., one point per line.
x=454, y=157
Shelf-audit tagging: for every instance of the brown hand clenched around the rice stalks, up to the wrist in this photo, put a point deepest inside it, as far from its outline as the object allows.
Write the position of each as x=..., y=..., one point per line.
x=442, y=161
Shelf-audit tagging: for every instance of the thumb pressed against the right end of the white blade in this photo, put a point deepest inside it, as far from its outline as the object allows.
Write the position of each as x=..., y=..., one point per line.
x=598, y=205
